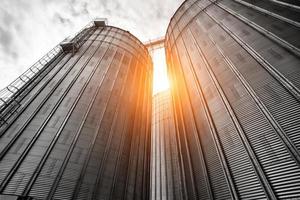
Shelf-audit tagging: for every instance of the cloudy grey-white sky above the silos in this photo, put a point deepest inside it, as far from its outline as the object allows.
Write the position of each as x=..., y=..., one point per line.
x=30, y=28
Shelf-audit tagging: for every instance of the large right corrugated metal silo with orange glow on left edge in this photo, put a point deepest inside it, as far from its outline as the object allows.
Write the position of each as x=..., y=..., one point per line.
x=235, y=73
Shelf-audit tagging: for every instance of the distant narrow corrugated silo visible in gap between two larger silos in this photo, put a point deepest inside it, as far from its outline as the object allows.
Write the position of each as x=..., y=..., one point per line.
x=166, y=178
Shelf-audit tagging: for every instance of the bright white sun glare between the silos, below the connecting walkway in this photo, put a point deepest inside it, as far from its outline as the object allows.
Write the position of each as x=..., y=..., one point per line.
x=160, y=77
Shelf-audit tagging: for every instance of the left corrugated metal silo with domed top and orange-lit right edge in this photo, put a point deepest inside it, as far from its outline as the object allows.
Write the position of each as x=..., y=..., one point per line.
x=83, y=130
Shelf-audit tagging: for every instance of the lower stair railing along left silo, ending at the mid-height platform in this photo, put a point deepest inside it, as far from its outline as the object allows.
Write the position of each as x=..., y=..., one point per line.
x=8, y=92
